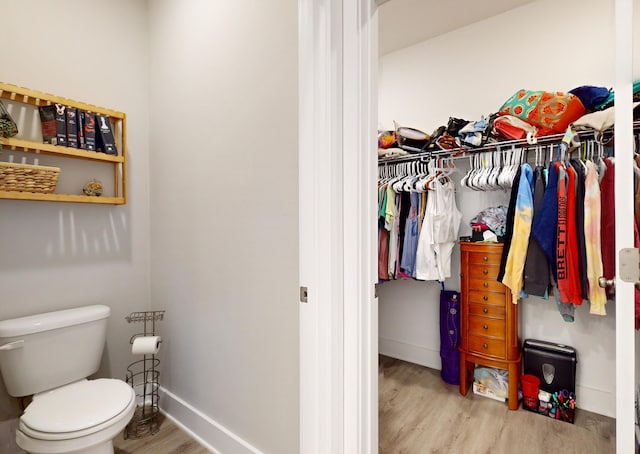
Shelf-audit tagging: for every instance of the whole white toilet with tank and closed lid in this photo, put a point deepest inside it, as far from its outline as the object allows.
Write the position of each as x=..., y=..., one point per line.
x=50, y=356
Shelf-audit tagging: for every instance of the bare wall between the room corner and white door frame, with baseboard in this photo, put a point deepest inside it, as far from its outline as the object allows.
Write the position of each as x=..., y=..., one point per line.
x=224, y=217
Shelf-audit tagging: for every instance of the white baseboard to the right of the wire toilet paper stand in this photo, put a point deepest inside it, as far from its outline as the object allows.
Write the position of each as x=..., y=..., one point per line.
x=209, y=433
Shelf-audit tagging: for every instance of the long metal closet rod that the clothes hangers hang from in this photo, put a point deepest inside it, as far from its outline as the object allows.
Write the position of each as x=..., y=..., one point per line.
x=465, y=152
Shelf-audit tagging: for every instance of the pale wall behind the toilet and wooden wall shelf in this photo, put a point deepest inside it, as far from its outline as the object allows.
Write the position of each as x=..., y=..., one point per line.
x=58, y=255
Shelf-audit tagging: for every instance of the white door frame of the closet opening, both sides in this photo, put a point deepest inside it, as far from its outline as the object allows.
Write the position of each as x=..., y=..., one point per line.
x=337, y=165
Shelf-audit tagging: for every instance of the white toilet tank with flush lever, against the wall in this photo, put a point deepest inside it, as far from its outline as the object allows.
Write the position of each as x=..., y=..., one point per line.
x=44, y=351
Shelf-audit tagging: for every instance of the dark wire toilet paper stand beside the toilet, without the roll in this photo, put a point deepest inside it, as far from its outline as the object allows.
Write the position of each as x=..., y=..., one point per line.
x=143, y=376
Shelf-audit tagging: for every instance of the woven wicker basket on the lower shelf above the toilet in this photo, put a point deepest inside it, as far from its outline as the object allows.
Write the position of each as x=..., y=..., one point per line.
x=28, y=178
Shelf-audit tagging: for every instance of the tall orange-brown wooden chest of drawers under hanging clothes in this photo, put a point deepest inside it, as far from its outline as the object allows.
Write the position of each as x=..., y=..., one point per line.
x=488, y=318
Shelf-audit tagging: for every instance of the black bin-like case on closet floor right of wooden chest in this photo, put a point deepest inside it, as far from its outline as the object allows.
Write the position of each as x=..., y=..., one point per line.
x=557, y=360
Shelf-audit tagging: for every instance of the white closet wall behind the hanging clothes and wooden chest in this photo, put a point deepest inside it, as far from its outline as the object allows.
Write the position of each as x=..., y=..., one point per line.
x=471, y=72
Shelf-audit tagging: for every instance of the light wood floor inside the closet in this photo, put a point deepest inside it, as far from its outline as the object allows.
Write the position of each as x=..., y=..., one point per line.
x=419, y=413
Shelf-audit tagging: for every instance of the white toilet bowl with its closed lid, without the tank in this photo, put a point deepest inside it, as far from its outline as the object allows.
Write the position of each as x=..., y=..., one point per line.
x=79, y=418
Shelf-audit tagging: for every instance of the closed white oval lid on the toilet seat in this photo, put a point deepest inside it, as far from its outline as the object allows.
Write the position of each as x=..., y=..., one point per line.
x=77, y=406
